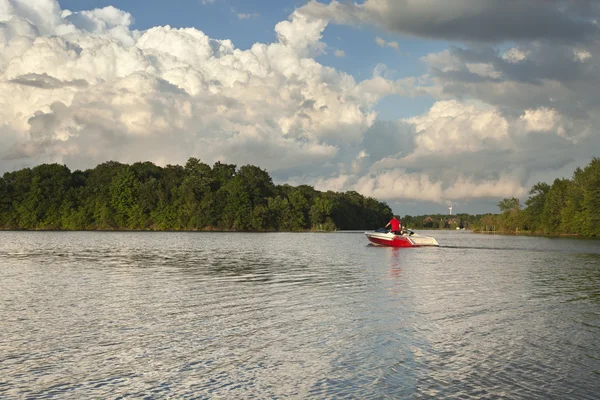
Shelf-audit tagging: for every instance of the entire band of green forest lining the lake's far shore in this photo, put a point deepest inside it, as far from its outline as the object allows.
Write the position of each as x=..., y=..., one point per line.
x=143, y=196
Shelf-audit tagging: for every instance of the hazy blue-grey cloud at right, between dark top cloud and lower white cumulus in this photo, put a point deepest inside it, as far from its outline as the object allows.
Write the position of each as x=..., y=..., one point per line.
x=528, y=80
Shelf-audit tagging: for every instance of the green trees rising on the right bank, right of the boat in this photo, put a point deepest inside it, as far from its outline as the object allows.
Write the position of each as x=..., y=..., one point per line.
x=568, y=206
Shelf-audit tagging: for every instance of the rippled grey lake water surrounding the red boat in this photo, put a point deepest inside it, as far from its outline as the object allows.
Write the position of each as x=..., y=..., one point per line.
x=227, y=315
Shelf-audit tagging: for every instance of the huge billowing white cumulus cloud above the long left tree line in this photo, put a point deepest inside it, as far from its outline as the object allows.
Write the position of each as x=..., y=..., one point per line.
x=82, y=94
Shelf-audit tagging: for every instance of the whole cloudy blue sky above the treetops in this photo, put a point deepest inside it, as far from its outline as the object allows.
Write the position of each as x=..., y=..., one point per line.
x=422, y=104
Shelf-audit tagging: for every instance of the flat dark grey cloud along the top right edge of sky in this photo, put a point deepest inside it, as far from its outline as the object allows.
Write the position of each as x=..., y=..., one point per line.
x=469, y=20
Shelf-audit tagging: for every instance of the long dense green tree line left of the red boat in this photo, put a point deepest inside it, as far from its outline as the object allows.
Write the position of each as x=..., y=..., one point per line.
x=144, y=196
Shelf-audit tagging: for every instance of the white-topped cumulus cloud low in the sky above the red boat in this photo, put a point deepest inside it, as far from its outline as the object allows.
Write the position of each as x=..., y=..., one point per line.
x=459, y=152
